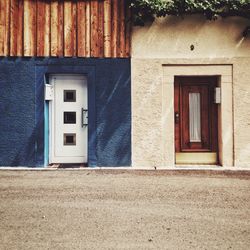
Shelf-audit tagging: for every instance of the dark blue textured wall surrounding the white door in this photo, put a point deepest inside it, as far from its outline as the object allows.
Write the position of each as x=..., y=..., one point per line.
x=22, y=109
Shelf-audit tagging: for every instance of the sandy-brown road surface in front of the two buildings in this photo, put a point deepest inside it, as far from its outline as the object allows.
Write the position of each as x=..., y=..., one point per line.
x=109, y=209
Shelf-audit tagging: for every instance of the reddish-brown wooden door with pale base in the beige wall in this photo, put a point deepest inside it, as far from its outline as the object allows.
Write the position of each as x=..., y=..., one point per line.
x=195, y=120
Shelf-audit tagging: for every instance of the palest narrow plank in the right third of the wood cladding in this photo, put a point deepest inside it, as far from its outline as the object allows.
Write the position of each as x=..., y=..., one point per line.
x=107, y=28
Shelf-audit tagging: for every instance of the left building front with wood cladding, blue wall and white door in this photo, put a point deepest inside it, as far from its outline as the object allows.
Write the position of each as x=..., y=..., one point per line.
x=65, y=93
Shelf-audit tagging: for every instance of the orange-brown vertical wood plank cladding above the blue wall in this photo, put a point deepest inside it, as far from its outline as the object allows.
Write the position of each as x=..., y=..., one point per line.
x=70, y=28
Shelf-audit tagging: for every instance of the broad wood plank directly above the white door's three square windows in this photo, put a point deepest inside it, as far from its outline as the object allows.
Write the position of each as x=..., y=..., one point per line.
x=69, y=28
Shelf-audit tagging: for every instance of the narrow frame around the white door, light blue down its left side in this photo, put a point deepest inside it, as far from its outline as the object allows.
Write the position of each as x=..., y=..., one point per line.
x=52, y=116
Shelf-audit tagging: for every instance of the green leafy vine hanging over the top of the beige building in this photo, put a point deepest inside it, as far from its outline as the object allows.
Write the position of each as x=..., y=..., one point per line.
x=147, y=10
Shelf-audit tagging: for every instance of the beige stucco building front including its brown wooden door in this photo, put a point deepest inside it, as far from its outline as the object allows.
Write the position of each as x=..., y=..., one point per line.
x=177, y=70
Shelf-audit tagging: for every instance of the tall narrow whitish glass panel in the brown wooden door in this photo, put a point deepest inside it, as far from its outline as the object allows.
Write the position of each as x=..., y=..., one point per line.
x=194, y=117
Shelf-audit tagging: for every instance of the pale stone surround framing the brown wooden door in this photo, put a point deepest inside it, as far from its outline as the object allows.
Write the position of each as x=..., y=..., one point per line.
x=224, y=72
